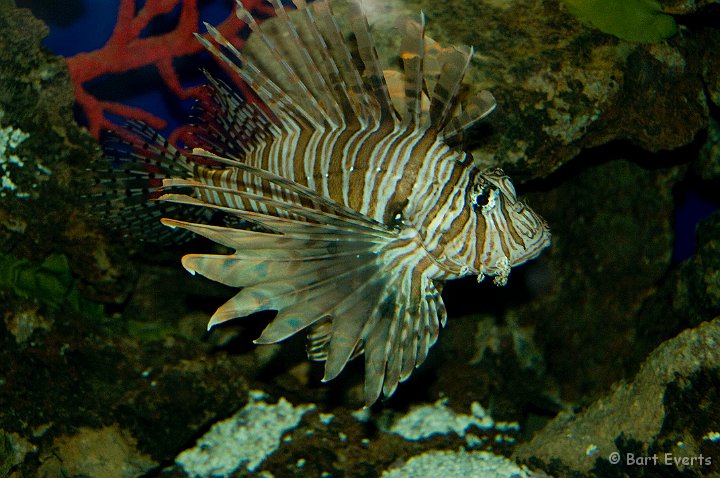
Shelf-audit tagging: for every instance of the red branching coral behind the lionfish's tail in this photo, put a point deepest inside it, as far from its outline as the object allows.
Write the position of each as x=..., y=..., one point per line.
x=127, y=50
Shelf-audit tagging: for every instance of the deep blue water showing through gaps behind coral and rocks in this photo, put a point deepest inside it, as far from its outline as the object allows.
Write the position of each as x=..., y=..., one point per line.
x=82, y=25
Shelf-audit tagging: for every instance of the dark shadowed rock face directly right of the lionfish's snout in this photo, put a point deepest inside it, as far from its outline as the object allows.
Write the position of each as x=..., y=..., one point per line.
x=612, y=241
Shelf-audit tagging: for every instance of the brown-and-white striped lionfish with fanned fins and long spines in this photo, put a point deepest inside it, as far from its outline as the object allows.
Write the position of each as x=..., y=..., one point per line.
x=359, y=205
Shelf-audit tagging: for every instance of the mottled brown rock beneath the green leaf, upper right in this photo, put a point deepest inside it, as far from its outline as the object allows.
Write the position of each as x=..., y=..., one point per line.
x=564, y=89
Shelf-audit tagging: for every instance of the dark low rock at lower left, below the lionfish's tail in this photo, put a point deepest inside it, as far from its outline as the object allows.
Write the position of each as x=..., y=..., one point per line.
x=75, y=372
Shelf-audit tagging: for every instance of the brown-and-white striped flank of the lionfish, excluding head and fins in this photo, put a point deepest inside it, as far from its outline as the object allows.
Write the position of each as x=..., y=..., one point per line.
x=374, y=172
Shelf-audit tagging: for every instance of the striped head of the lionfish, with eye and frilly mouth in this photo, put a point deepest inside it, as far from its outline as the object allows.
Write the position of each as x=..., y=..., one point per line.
x=508, y=231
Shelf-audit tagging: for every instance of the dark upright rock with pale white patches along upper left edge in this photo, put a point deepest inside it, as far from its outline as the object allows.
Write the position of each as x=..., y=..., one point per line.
x=49, y=171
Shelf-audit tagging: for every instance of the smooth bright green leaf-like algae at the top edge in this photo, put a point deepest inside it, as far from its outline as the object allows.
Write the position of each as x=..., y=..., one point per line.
x=632, y=20
